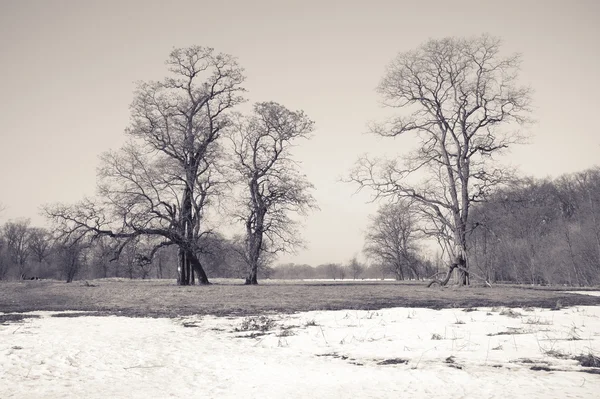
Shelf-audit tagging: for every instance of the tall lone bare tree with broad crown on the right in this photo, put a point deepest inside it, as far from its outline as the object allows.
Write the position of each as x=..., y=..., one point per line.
x=460, y=96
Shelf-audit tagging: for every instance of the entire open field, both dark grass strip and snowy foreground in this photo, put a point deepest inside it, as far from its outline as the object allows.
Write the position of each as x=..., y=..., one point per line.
x=295, y=339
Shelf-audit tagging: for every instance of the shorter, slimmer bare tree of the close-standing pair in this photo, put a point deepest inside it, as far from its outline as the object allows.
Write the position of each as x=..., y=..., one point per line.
x=274, y=187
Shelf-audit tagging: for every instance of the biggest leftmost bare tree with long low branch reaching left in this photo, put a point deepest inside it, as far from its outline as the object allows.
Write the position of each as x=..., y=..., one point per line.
x=161, y=183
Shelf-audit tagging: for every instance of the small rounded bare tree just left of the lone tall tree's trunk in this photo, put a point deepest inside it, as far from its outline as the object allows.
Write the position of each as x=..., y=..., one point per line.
x=391, y=239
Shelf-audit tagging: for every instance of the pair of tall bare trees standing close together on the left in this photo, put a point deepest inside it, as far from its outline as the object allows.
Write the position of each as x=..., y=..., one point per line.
x=189, y=150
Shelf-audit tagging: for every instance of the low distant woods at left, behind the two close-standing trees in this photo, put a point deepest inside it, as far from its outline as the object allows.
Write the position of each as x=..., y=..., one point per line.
x=31, y=252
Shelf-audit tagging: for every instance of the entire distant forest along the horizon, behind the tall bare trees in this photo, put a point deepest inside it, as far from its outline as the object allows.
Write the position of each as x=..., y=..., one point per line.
x=531, y=231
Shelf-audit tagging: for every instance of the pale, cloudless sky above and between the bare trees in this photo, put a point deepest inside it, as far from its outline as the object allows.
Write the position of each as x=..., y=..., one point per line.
x=67, y=73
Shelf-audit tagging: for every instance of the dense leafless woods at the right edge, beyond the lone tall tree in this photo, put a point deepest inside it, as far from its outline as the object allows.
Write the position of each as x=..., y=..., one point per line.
x=540, y=231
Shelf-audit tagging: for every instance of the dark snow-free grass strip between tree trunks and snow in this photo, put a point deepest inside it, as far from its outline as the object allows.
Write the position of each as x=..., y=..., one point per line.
x=162, y=298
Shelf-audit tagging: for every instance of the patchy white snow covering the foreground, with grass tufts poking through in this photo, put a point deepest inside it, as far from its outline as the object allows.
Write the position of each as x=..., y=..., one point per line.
x=389, y=353
